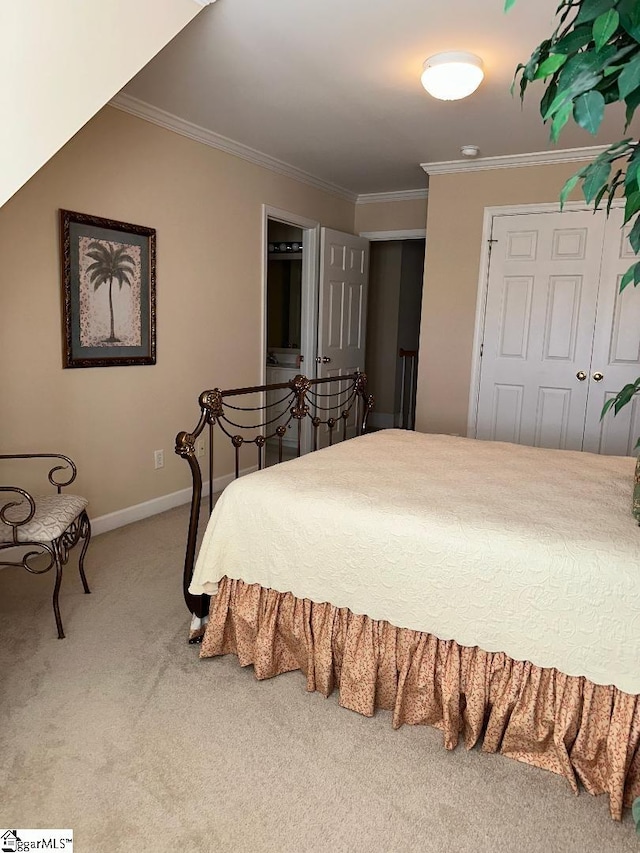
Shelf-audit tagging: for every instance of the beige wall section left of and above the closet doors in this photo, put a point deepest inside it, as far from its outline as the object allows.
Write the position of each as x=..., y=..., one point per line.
x=454, y=236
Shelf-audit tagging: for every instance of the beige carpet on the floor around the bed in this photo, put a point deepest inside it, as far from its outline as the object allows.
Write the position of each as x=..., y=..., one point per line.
x=120, y=733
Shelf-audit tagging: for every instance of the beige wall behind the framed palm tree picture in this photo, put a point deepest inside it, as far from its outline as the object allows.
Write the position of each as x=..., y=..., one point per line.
x=206, y=207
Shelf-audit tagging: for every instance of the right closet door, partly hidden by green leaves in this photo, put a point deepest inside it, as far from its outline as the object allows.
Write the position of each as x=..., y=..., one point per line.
x=616, y=348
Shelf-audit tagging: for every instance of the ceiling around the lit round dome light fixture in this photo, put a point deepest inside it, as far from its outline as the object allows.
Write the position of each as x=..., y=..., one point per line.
x=332, y=87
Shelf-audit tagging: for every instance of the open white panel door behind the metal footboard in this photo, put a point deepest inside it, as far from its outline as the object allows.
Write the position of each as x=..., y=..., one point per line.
x=342, y=320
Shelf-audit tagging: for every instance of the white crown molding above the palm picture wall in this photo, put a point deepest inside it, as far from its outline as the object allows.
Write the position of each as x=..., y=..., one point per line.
x=148, y=112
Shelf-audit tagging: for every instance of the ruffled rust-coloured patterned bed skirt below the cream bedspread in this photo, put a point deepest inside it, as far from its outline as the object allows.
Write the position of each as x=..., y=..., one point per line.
x=567, y=724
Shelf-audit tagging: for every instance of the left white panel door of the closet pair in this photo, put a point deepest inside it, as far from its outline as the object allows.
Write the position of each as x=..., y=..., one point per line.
x=541, y=304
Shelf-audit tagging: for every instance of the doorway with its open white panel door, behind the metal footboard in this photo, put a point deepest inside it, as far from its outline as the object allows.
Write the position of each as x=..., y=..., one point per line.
x=324, y=278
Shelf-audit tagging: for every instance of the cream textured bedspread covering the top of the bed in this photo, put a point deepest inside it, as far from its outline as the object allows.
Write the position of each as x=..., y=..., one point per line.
x=516, y=549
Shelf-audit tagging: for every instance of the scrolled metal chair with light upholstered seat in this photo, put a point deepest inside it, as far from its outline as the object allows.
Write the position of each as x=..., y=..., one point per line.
x=47, y=526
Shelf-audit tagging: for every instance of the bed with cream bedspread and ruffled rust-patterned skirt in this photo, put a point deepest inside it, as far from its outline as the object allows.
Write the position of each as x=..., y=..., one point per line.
x=487, y=589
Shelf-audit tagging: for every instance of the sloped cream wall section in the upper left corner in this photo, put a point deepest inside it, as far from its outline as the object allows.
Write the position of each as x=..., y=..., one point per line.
x=64, y=61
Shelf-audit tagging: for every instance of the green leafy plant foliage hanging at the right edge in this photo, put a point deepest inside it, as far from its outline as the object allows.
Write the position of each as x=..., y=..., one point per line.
x=590, y=60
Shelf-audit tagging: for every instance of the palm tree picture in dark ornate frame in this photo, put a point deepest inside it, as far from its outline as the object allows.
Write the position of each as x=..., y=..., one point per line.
x=108, y=292
